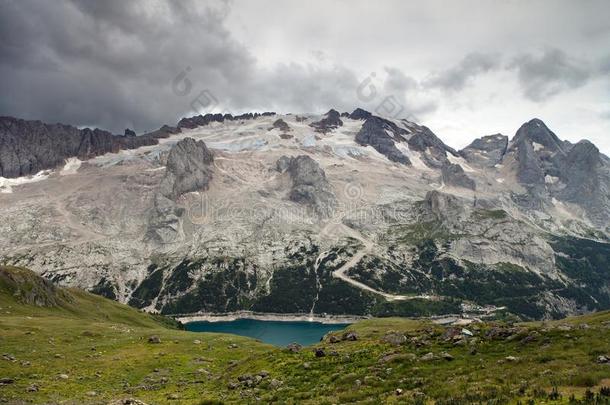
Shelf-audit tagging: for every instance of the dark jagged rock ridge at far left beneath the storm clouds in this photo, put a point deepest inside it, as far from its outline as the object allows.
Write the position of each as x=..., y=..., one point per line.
x=27, y=147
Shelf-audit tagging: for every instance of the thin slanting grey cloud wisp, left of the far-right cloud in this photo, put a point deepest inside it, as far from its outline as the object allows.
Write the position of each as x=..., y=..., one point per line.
x=457, y=77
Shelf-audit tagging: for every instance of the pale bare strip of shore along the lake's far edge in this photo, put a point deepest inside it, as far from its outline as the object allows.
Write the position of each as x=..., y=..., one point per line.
x=232, y=316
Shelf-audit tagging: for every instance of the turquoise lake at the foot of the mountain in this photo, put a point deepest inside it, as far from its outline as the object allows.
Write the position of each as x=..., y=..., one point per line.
x=279, y=333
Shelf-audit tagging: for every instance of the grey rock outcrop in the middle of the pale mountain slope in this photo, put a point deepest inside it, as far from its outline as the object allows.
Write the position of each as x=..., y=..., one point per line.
x=309, y=184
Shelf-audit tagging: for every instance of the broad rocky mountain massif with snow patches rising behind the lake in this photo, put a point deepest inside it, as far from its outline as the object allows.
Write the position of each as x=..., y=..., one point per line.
x=340, y=213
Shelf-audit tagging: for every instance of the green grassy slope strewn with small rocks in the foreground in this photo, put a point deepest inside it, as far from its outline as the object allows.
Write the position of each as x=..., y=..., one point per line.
x=102, y=346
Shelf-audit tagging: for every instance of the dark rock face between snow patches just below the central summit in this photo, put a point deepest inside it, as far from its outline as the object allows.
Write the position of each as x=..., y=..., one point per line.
x=376, y=132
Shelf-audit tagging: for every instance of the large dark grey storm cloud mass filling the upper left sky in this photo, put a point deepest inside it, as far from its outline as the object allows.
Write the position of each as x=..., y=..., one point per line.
x=115, y=64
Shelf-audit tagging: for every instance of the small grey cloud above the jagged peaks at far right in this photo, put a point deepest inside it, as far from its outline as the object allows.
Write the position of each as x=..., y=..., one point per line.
x=549, y=73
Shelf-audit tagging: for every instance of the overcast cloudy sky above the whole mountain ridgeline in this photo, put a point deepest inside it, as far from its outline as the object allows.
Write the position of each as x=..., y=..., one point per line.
x=464, y=68
